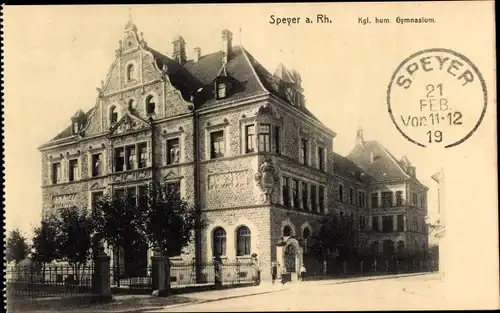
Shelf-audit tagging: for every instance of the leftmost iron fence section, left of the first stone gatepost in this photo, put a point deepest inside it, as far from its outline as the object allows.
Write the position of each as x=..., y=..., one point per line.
x=49, y=281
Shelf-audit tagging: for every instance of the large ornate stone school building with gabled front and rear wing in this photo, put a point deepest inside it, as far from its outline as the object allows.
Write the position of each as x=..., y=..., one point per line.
x=238, y=143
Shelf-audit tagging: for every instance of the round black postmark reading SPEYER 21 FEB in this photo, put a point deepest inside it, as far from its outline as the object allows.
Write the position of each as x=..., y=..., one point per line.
x=437, y=97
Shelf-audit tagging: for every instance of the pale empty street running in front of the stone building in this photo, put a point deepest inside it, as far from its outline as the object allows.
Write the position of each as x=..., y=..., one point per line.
x=416, y=292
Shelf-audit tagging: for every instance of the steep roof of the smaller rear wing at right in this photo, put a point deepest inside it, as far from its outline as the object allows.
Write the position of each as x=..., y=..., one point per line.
x=374, y=158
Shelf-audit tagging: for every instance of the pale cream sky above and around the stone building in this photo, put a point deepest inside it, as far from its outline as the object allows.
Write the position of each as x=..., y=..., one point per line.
x=55, y=57
